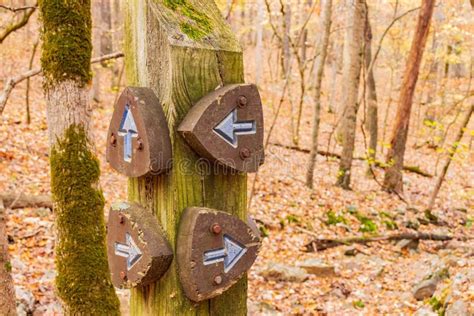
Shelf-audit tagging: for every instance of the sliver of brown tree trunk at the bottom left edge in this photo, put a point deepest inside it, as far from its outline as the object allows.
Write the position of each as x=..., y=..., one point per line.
x=7, y=297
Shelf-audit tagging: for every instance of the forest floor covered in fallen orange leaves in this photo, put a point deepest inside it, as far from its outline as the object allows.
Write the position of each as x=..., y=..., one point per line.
x=377, y=278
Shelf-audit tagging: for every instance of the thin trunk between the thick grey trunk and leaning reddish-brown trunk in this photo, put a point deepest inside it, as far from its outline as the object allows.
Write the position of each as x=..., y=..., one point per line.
x=371, y=97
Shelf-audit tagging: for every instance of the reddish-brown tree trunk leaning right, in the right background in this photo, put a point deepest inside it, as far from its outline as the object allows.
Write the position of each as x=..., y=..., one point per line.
x=393, y=174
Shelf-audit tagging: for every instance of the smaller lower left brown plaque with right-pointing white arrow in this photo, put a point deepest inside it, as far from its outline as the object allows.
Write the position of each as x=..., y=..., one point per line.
x=138, y=252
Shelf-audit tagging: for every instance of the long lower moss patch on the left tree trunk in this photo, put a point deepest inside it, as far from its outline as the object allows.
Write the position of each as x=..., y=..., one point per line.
x=83, y=280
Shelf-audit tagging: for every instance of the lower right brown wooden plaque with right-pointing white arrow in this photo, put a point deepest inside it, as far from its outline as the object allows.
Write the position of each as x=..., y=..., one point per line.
x=214, y=250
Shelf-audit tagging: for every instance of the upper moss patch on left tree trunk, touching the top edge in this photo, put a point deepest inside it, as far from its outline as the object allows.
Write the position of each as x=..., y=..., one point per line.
x=67, y=42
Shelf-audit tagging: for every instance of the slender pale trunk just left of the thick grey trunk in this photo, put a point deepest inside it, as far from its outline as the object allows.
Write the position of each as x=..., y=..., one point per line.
x=324, y=42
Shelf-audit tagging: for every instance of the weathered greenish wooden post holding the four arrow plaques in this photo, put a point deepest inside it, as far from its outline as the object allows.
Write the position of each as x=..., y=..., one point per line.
x=183, y=50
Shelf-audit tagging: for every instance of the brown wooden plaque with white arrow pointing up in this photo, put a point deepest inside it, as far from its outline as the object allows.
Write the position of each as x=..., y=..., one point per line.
x=138, y=136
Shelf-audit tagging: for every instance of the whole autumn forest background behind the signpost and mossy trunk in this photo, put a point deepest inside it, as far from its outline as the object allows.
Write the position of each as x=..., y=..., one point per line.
x=347, y=62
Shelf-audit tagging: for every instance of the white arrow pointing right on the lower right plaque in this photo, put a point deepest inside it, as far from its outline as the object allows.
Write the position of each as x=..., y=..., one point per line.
x=230, y=254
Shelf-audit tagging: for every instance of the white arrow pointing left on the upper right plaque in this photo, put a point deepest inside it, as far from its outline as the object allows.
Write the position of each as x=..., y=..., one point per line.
x=229, y=128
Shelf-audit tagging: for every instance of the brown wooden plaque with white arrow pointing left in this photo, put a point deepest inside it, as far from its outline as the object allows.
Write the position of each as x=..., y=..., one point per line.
x=227, y=126
